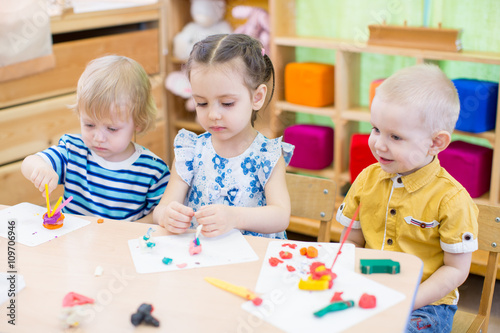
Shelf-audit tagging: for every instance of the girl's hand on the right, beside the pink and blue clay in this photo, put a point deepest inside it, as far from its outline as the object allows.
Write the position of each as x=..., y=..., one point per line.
x=216, y=219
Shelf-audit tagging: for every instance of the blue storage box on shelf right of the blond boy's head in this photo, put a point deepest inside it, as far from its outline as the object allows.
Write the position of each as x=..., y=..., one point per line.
x=478, y=105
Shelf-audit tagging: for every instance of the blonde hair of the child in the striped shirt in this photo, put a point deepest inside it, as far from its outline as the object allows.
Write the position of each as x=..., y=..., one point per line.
x=111, y=82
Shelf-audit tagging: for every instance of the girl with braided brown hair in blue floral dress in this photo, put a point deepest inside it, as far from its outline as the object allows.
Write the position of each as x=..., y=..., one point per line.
x=231, y=176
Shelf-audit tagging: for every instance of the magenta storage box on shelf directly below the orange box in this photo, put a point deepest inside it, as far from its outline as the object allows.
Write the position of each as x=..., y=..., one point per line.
x=313, y=145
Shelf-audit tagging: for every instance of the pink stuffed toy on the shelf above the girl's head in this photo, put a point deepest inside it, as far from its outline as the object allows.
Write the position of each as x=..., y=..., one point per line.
x=257, y=24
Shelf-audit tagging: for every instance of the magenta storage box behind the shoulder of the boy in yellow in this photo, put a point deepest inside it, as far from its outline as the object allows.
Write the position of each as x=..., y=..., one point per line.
x=469, y=164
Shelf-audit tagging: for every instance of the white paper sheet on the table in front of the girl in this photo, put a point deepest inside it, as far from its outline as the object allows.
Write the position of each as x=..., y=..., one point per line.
x=230, y=248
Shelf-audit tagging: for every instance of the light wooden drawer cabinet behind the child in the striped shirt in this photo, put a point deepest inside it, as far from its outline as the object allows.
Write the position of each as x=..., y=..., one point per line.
x=34, y=109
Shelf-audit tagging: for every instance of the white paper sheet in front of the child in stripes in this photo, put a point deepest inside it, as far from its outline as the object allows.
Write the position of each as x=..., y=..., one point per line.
x=29, y=229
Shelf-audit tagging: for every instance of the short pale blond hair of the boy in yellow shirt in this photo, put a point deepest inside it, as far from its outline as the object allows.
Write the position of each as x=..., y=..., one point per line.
x=427, y=90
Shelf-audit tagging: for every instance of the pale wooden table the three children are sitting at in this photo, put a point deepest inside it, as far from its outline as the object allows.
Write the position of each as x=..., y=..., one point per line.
x=182, y=300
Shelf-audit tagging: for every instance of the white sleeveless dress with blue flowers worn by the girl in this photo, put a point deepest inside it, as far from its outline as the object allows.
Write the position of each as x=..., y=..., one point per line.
x=236, y=181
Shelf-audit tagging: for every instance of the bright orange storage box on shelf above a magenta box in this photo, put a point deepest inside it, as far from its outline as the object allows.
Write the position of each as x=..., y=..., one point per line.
x=310, y=84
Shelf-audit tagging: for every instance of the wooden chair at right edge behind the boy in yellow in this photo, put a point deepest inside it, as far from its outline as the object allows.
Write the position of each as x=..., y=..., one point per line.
x=489, y=241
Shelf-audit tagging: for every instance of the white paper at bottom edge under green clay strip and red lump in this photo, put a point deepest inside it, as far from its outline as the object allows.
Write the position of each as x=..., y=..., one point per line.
x=291, y=309
